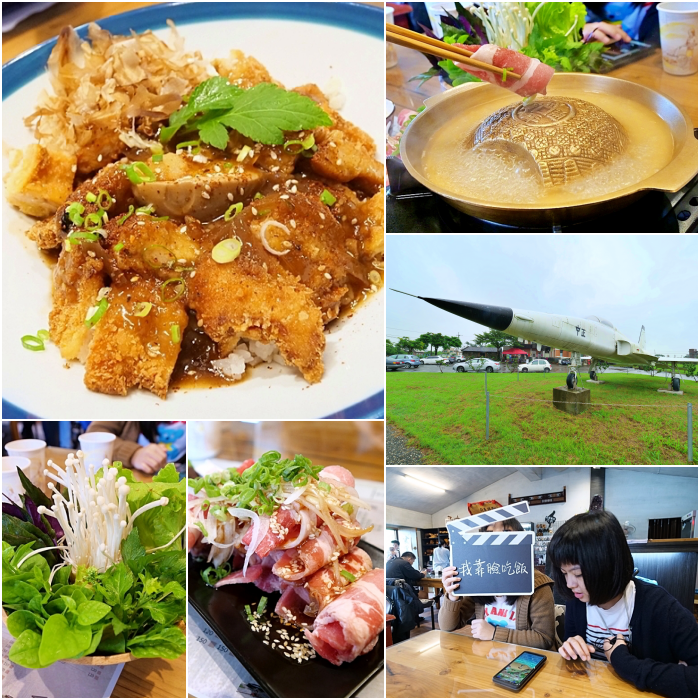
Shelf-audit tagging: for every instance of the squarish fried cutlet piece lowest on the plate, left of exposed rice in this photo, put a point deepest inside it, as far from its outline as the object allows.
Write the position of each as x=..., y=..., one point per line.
x=131, y=351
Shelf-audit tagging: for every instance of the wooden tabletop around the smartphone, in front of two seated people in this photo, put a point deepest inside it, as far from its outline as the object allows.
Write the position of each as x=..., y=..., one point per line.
x=441, y=664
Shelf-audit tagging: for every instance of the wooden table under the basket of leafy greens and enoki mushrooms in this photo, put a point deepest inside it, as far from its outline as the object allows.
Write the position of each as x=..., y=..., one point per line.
x=143, y=678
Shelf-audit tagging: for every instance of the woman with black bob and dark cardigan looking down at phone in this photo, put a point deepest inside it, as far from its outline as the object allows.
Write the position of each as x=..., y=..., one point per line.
x=646, y=634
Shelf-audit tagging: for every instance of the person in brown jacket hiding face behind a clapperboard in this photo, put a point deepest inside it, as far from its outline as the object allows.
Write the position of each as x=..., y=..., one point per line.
x=525, y=619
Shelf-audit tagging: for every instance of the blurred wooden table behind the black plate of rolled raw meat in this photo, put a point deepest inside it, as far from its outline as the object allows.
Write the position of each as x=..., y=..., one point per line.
x=357, y=445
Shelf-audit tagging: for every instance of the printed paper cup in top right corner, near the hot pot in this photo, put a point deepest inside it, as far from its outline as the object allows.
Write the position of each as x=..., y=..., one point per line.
x=678, y=25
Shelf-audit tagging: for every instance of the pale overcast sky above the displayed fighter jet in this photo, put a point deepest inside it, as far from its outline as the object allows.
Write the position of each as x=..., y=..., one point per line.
x=630, y=280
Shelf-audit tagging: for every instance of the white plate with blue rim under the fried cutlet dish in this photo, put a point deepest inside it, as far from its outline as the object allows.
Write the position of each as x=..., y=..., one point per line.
x=298, y=42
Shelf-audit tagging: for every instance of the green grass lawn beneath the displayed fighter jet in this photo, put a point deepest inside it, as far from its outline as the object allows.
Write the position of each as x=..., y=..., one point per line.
x=445, y=414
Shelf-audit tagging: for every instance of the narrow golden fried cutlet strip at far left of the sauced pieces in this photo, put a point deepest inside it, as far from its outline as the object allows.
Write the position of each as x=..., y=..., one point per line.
x=77, y=280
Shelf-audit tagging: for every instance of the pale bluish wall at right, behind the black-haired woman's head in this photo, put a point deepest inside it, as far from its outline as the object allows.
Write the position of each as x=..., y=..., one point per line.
x=639, y=496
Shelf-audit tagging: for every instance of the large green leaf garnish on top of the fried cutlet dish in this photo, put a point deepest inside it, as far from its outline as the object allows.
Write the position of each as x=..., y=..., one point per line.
x=262, y=113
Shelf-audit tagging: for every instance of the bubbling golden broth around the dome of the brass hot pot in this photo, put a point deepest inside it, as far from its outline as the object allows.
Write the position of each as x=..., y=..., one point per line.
x=500, y=175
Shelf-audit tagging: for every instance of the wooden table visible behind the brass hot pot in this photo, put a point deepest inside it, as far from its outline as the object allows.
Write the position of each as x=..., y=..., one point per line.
x=647, y=71
